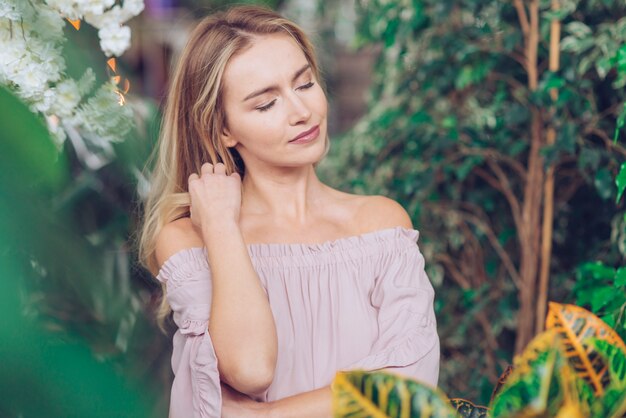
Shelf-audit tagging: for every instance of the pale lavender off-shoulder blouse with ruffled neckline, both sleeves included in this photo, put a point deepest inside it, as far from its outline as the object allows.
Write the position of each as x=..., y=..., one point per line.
x=360, y=302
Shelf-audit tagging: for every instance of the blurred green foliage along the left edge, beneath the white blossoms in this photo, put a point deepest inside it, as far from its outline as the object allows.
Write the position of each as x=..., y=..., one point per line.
x=45, y=371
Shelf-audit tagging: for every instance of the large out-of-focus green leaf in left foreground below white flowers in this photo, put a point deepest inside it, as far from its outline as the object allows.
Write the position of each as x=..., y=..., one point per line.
x=40, y=374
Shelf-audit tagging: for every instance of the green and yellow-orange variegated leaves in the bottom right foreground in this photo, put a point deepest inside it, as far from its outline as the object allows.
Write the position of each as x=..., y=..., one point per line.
x=576, y=369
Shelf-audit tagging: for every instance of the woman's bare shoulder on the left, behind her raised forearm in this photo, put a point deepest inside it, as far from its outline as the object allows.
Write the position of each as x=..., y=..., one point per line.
x=174, y=237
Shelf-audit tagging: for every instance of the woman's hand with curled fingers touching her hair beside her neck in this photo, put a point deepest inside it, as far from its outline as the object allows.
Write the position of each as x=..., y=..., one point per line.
x=215, y=196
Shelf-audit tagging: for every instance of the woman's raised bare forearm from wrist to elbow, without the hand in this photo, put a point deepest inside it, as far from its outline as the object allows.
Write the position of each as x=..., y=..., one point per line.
x=241, y=324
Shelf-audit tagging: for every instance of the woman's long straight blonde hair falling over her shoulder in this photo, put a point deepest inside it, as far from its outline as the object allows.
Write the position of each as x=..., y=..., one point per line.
x=194, y=116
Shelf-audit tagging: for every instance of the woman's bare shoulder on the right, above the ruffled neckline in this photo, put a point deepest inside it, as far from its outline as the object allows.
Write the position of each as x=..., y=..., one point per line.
x=380, y=212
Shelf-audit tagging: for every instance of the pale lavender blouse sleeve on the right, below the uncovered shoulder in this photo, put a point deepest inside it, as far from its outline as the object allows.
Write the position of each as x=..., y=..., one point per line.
x=407, y=339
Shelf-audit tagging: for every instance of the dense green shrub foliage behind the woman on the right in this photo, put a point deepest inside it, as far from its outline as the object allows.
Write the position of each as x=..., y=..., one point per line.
x=450, y=111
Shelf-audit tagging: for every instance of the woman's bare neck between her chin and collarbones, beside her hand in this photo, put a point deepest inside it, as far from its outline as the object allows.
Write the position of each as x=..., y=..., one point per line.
x=291, y=195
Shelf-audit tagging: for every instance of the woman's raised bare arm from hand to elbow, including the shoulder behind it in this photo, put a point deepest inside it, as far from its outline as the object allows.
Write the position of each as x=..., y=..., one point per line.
x=241, y=323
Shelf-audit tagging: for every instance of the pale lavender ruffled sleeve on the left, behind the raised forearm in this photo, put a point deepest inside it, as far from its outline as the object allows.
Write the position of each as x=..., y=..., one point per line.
x=196, y=391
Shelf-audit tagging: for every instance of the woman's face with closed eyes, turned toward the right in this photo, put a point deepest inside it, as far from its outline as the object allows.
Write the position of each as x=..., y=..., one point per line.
x=275, y=108
